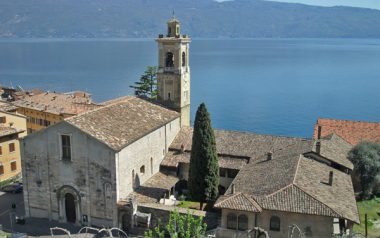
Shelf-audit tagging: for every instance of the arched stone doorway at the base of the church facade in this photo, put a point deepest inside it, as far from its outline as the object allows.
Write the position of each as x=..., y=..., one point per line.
x=69, y=204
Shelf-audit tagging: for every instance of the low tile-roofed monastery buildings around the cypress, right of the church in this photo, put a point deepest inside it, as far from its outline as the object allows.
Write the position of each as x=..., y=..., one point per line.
x=292, y=180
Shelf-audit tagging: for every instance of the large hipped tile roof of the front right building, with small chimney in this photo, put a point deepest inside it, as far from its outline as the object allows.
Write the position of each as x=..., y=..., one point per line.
x=294, y=183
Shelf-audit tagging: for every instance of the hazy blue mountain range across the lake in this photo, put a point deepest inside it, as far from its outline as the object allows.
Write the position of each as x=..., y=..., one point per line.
x=200, y=18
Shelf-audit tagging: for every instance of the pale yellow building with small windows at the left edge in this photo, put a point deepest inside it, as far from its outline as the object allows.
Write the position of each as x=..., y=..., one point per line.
x=12, y=127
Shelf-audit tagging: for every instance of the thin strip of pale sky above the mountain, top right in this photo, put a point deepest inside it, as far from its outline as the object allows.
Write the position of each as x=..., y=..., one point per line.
x=354, y=3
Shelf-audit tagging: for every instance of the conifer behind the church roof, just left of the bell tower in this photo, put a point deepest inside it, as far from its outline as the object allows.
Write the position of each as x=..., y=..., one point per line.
x=147, y=85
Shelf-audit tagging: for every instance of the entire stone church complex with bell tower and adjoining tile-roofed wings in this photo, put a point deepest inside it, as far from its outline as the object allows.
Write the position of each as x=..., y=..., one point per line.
x=110, y=166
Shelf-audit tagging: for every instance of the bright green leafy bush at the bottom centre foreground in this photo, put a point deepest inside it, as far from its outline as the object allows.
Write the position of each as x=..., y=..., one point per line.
x=180, y=226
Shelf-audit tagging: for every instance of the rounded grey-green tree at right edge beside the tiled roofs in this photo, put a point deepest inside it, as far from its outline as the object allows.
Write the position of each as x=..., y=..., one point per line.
x=366, y=158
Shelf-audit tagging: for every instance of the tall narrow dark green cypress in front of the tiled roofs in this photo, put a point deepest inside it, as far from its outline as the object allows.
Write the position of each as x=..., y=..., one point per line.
x=204, y=168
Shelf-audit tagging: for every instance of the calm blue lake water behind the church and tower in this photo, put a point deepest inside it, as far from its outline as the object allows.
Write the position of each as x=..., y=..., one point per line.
x=271, y=86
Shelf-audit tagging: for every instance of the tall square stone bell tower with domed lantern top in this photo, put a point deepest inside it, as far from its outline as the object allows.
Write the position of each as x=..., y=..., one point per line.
x=173, y=77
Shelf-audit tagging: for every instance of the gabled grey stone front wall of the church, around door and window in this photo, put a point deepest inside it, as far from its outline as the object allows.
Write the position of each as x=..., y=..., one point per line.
x=89, y=176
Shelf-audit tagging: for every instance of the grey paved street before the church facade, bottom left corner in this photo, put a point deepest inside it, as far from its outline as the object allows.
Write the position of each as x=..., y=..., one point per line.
x=33, y=226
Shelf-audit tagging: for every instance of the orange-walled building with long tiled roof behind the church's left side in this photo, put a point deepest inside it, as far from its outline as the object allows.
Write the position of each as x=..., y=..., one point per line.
x=47, y=108
